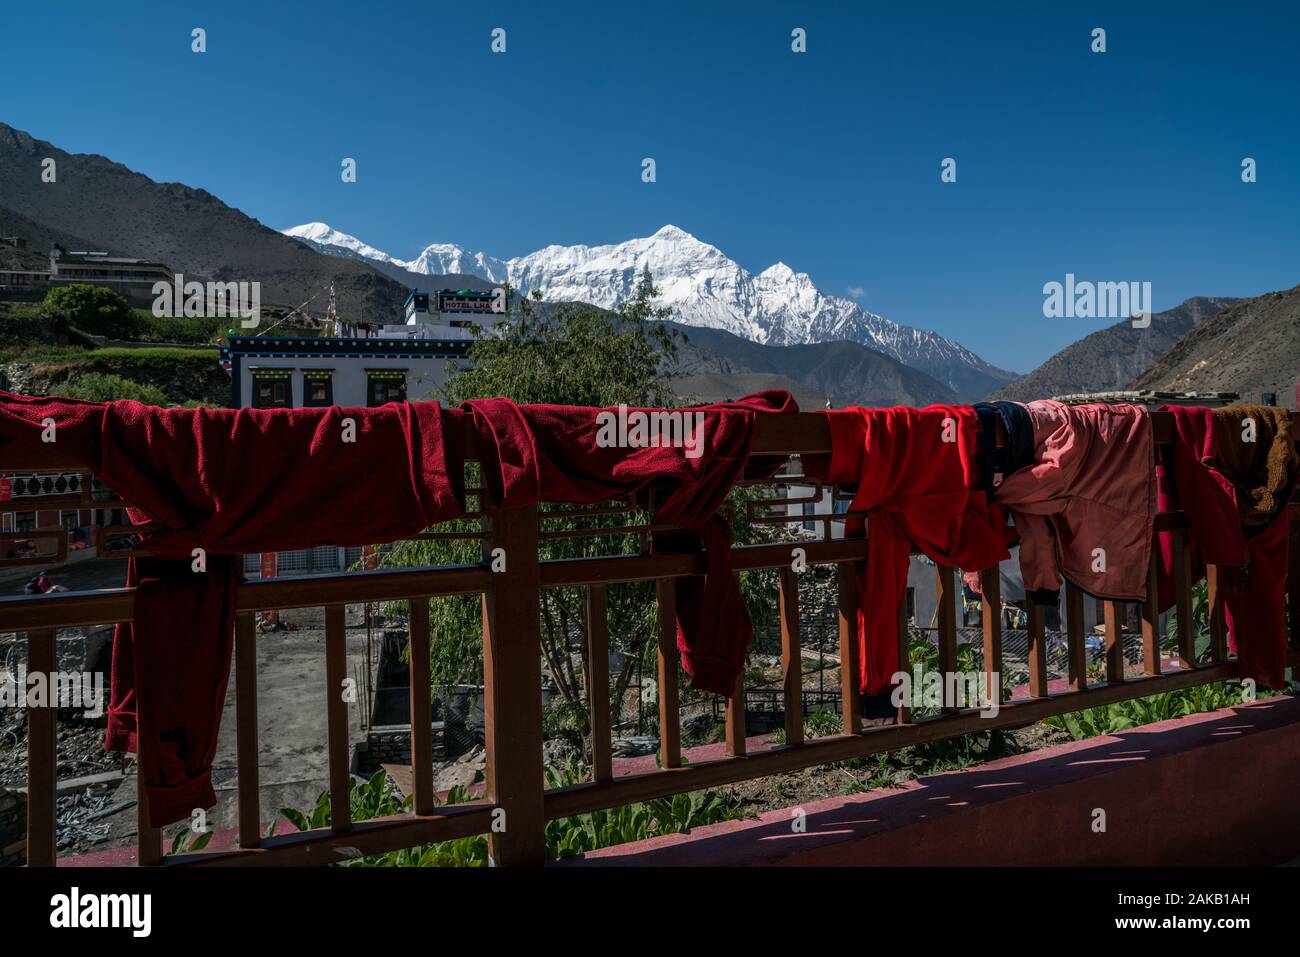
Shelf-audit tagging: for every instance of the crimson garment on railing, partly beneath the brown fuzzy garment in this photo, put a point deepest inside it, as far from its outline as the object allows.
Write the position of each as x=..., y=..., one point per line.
x=1254, y=562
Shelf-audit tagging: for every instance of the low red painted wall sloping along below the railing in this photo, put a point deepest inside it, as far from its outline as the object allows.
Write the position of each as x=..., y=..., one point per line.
x=1219, y=789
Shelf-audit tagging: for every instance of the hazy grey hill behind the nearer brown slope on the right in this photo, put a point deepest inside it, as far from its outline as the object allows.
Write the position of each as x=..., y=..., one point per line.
x=1111, y=358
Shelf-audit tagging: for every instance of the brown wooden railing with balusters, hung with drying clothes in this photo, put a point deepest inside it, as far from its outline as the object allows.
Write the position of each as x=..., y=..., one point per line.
x=518, y=804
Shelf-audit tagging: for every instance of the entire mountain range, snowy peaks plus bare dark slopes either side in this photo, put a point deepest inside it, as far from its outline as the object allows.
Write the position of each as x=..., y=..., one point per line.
x=742, y=328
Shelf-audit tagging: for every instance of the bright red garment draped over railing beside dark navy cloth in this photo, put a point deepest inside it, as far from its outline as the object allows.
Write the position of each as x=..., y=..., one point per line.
x=916, y=474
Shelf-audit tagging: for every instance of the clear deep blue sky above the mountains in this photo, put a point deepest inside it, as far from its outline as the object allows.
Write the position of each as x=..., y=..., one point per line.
x=1124, y=166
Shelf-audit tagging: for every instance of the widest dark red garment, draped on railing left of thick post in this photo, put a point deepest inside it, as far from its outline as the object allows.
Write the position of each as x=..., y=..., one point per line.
x=229, y=482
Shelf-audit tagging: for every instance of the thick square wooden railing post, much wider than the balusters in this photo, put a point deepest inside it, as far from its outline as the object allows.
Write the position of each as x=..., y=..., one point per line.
x=513, y=688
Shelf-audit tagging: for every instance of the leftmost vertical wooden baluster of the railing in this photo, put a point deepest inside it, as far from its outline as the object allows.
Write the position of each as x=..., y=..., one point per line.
x=42, y=754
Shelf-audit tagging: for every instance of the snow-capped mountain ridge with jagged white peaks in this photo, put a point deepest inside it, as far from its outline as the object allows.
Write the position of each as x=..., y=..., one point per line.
x=778, y=306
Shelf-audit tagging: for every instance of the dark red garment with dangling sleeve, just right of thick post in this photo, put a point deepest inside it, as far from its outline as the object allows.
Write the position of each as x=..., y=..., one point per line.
x=554, y=454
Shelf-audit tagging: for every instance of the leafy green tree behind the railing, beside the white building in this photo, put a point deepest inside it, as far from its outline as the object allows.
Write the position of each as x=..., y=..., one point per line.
x=577, y=356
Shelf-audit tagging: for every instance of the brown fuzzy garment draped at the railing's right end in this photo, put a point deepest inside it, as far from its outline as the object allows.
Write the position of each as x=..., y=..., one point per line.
x=1264, y=471
